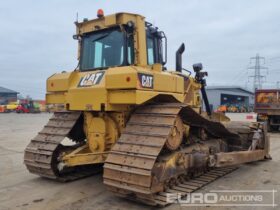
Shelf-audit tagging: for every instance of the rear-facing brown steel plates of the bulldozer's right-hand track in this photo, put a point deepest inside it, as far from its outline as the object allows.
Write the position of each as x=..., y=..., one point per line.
x=128, y=168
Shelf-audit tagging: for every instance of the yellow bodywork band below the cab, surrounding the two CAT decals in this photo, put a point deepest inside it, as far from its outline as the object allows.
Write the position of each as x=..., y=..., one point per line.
x=93, y=97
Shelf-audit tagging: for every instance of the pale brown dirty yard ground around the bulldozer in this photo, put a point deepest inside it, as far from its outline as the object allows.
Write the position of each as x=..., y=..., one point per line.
x=22, y=190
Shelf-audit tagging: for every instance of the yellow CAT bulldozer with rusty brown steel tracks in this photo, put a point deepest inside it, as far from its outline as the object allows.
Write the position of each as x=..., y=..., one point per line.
x=123, y=109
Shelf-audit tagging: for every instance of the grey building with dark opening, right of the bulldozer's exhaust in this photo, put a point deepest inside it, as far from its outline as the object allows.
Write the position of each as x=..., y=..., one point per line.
x=230, y=96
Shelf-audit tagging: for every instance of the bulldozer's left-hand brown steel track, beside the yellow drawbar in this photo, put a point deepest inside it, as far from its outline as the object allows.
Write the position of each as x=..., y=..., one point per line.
x=42, y=153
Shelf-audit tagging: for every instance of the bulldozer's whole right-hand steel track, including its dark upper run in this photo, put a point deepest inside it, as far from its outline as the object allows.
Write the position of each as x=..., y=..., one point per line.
x=128, y=170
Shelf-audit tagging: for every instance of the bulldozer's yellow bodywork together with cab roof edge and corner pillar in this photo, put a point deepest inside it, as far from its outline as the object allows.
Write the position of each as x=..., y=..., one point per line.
x=119, y=88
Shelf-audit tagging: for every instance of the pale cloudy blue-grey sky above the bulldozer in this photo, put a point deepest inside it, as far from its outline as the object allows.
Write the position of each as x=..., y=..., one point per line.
x=36, y=37
